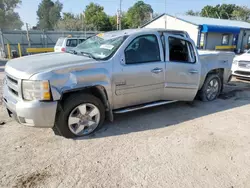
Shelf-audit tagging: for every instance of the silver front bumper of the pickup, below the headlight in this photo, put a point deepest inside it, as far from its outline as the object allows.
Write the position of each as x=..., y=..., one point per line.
x=31, y=113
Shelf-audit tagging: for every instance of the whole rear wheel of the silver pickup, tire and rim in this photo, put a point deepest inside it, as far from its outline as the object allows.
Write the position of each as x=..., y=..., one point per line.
x=211, y=88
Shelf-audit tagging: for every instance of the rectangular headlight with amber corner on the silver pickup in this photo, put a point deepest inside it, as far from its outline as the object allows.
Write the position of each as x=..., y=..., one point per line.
x=36, y=90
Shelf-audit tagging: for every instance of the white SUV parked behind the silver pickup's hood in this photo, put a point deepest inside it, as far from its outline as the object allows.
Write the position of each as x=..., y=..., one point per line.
x=65, y=44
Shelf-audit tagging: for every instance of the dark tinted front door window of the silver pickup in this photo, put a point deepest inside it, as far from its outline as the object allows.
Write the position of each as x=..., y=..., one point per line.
x=143, y=49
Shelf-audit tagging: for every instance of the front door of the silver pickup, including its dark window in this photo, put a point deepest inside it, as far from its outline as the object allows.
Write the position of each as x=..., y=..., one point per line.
x=139, y=77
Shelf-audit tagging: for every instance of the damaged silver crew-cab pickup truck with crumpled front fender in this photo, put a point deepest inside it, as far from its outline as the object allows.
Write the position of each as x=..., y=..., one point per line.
x=113, y=72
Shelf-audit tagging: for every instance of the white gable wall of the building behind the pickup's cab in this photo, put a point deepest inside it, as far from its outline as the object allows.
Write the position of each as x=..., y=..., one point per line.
x=176, y=24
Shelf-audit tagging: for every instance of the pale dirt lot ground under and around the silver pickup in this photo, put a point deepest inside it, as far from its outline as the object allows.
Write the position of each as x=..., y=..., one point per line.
x=178, y=145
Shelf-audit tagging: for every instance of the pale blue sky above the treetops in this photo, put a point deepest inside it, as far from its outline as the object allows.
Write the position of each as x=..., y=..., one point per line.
x=28, y=8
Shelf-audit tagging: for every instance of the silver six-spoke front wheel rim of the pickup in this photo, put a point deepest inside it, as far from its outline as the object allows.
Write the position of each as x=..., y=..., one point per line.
x=84, y=119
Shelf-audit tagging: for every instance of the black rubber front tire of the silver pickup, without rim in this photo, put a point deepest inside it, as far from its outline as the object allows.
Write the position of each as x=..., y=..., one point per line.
x=61, y=125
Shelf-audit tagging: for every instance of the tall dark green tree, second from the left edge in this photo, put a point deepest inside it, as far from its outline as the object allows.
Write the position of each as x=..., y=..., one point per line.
x=48, y=14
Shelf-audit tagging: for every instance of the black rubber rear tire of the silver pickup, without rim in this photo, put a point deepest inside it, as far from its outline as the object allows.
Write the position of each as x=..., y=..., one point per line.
x=203, y=92
